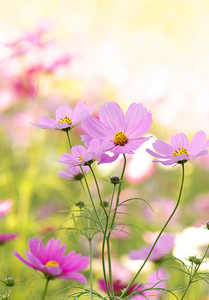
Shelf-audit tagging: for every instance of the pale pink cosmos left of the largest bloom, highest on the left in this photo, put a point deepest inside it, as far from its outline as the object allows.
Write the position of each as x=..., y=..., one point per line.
x=66, y=118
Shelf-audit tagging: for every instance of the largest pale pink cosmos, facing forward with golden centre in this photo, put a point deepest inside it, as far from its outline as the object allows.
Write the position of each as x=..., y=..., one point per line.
x=123, y=131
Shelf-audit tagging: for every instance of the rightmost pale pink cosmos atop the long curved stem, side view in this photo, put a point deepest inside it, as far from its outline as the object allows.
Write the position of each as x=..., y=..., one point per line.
x=180, y=150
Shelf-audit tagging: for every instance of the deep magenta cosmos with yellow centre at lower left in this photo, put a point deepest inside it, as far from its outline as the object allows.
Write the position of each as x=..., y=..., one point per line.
x=50, y=260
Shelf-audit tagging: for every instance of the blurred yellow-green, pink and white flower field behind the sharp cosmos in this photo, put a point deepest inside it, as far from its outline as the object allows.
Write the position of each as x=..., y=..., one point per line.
x=63, y=52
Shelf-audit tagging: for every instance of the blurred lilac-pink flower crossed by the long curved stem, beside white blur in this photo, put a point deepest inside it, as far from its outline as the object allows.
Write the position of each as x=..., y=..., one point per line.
x=164, y=246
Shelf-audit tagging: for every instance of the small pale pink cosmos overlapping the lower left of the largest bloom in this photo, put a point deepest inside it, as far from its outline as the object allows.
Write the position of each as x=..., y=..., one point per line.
x=82, y=156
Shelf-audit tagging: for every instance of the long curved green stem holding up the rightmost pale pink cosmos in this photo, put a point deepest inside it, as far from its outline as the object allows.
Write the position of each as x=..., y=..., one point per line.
x=159, y=235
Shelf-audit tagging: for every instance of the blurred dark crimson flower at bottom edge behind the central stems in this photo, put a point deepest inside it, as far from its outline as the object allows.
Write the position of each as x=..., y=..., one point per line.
x=118, y=287
